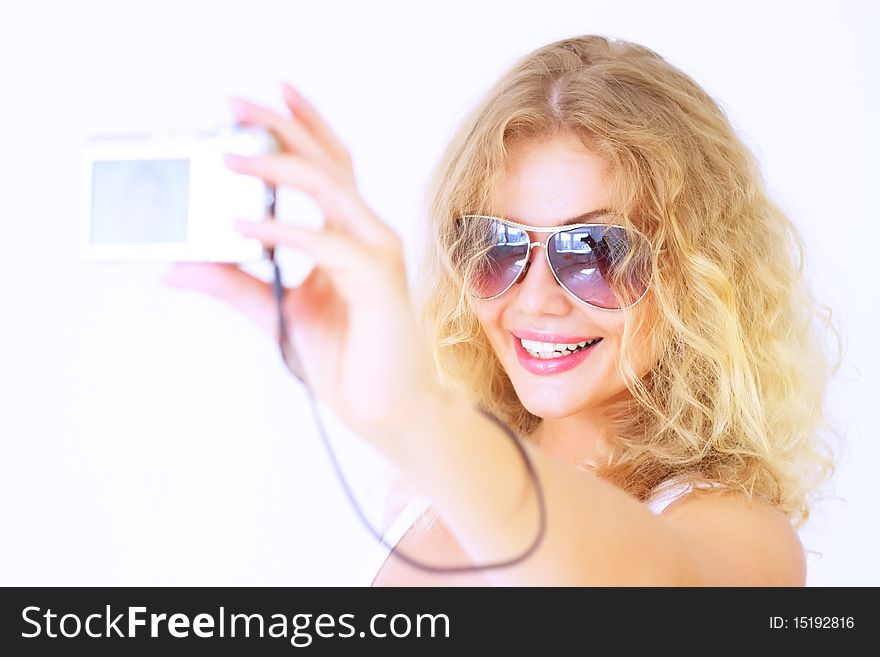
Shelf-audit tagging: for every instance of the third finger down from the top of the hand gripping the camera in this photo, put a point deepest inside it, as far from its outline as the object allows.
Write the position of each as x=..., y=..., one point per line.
x=343, y=208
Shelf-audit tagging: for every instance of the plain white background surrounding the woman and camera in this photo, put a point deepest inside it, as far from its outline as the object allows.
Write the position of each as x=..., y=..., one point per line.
x=151, y=436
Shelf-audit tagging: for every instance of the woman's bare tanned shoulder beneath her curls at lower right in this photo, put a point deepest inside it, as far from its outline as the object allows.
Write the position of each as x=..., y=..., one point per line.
x=738, y=541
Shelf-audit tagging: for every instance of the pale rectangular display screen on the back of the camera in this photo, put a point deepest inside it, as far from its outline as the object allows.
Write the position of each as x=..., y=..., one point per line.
x=135, y=201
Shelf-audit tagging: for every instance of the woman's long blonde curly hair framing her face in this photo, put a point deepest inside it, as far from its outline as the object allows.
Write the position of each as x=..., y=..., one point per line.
x=736, y=393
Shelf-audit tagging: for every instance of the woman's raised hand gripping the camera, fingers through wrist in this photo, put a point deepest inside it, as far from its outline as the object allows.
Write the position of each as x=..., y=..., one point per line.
x=351, y=321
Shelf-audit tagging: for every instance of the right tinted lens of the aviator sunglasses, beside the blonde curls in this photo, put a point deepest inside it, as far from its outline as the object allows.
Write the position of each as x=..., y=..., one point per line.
x=606, y=266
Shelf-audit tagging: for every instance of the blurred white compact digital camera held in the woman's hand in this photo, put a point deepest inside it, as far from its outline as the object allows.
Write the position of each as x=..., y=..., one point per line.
x=171, y=197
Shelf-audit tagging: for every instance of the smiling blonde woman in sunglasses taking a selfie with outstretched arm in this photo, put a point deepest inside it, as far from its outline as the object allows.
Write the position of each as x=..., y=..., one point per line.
x=599, y=202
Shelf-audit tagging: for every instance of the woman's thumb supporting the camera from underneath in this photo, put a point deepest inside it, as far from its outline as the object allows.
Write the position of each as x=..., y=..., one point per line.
x=230, y=284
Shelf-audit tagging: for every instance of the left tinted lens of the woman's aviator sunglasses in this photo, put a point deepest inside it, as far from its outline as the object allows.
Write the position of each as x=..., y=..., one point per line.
x=503, y=257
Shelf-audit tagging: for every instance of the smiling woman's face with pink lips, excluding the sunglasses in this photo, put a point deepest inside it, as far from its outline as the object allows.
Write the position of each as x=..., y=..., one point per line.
x=547, y=183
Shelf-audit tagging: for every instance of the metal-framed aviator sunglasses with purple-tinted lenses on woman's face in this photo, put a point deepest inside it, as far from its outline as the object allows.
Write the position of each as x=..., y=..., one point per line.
x=605, y=266
